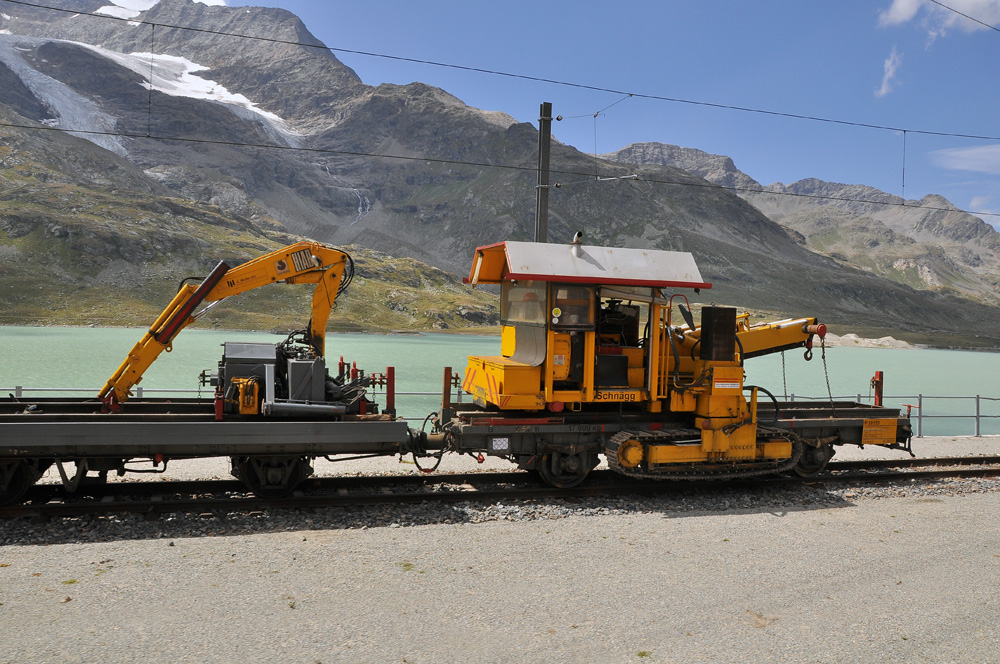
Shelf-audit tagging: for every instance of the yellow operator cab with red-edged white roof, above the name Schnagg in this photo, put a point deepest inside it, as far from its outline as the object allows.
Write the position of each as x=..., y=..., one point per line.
x=575, y=323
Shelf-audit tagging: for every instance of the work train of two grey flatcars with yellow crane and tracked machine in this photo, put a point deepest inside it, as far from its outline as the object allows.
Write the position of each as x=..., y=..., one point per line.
x=600, y=356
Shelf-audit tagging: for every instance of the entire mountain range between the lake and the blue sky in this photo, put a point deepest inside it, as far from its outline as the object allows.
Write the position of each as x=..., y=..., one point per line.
x=135, y=152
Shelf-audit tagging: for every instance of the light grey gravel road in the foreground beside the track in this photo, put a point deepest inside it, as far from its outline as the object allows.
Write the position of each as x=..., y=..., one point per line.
x=905, y=573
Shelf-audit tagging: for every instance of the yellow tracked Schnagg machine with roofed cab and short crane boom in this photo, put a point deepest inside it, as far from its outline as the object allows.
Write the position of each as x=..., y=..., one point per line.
x=578, y=338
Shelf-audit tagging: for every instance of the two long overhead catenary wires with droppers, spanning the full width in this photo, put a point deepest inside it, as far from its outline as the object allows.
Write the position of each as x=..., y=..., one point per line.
x=590, y=176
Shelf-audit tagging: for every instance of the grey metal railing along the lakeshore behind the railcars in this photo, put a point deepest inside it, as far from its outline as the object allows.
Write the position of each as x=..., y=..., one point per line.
x=915, y=402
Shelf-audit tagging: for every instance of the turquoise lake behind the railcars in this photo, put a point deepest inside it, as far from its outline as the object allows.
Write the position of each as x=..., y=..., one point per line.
x=65, y=357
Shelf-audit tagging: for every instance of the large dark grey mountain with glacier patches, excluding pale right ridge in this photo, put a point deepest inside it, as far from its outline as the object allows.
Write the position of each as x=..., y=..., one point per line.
x=270, y=137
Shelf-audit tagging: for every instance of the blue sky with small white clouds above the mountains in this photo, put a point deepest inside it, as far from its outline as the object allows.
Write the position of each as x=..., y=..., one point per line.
x=908, y=64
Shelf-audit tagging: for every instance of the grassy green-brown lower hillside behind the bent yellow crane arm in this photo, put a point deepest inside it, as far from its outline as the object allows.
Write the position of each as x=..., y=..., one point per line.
x=87, y=238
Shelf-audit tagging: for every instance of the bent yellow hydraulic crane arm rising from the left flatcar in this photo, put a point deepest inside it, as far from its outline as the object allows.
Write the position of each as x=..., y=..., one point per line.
x=300, y=263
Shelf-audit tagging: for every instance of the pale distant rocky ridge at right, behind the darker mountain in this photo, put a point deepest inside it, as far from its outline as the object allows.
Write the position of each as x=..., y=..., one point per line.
x=927, y=244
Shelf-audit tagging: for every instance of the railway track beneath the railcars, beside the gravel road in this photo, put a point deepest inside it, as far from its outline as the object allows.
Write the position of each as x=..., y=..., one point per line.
x=213, y=497
